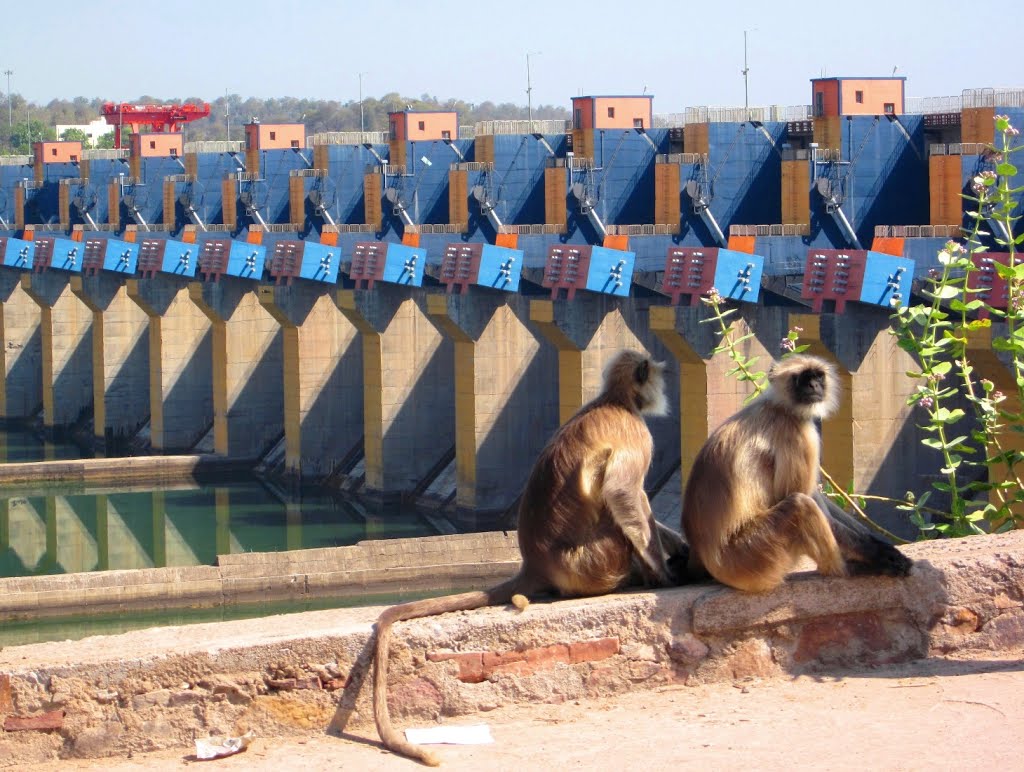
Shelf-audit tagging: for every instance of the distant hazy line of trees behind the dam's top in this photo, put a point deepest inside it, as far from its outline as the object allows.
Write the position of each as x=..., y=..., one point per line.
x=30, y=123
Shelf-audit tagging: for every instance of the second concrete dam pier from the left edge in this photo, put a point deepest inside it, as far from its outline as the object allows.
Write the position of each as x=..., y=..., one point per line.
x=66, y=327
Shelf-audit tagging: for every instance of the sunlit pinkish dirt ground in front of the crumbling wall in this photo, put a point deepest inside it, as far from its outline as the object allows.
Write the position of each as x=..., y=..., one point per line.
x=936, y=714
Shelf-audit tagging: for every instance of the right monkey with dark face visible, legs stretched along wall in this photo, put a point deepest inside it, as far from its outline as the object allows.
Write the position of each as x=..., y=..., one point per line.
x=752, y=505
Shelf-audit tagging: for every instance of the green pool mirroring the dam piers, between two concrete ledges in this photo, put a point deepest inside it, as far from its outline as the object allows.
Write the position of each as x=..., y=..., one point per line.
x=47, y=533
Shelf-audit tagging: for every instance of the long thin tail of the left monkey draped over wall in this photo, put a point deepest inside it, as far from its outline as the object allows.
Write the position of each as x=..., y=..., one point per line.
x=394, y=740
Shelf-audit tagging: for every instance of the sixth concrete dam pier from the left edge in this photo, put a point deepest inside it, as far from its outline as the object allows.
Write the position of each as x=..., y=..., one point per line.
x=323, y=387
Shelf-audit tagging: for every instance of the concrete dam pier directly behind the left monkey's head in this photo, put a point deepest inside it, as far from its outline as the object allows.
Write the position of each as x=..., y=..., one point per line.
x=587, y=332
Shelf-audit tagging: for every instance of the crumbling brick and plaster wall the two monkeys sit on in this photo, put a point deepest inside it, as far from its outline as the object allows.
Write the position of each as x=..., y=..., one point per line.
x=305, y=673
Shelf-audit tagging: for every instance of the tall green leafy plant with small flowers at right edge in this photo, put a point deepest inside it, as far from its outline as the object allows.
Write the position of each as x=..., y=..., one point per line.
x=938, y=334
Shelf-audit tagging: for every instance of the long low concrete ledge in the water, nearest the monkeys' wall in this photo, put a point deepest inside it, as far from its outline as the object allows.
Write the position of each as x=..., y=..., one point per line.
x=399, y=566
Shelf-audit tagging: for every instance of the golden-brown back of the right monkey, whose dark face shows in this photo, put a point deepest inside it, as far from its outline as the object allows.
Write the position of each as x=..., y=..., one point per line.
x=748, y=465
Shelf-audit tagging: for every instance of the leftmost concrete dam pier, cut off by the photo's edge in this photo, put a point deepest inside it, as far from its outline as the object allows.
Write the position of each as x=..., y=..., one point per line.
x=21, y=352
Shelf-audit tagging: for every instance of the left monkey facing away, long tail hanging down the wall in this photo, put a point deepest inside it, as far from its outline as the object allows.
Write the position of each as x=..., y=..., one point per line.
x=585, y=525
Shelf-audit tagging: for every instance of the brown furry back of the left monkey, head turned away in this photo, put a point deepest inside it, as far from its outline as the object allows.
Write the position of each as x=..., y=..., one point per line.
x=566, y=533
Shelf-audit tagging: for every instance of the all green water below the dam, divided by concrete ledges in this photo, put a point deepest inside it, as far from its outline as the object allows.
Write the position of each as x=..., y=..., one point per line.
x=69, y=530
